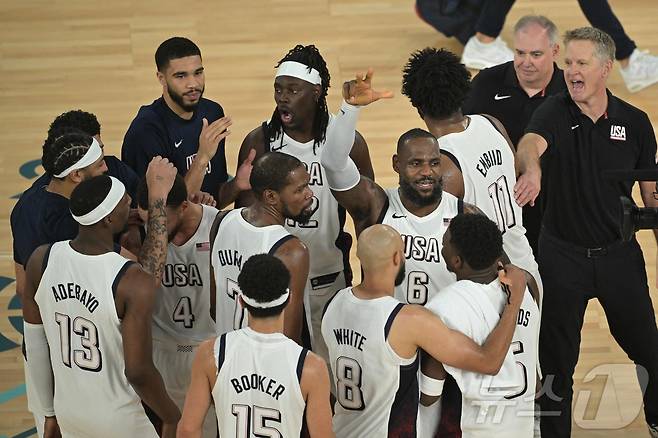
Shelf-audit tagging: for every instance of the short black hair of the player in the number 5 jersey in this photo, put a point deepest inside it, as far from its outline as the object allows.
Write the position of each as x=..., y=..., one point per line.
x=477, y=239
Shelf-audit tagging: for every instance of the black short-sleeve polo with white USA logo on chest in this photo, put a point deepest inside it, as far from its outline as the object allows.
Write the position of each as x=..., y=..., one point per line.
x=581, y=205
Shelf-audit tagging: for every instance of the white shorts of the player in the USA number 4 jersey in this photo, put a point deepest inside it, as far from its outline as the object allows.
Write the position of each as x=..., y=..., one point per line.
x=174, y=361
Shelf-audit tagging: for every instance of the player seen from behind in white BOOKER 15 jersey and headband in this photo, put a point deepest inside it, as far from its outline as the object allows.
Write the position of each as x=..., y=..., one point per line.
x=256, y=375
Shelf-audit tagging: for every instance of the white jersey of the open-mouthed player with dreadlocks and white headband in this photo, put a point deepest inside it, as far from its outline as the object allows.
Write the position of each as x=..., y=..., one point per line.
x=328, y=244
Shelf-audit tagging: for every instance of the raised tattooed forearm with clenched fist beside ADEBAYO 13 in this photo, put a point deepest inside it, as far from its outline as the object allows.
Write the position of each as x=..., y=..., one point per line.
x=160, y=177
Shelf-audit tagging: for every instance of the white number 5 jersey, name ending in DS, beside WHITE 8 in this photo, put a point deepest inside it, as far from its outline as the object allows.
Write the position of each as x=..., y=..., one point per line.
x=474, y=309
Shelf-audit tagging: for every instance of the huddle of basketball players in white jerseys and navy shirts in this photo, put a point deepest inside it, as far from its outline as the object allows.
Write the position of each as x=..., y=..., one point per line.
x=152, y=310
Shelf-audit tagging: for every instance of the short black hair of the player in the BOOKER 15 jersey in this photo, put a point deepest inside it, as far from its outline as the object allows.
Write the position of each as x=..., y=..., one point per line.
x=264, y=278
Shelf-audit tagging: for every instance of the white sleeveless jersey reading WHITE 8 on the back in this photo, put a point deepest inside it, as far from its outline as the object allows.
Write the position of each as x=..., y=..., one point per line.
x=376, y=390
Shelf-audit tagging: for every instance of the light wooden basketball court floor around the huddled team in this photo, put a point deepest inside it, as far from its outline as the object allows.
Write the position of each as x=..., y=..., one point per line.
x=61, y=55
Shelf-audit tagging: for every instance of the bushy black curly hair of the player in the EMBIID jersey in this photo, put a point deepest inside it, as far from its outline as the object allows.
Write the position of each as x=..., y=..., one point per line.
x=435, y=82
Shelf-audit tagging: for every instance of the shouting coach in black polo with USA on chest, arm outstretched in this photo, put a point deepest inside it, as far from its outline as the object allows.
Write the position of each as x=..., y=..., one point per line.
x=581, y=134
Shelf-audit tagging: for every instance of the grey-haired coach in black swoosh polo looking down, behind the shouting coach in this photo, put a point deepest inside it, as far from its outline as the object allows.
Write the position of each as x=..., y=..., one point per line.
x=511, y=92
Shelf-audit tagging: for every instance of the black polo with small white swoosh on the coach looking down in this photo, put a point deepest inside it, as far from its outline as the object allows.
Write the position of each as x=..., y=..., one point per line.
x=496, y=91
